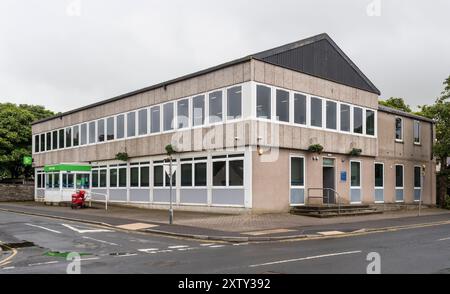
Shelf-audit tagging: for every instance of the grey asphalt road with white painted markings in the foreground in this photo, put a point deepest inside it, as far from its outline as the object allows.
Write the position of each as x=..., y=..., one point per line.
x=104, y=250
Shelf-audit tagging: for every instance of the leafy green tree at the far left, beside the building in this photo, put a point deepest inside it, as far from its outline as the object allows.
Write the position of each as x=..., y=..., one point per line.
x=15, y=136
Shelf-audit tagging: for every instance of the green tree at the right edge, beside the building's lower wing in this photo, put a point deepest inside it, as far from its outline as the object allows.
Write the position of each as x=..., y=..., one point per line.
x=440, y=113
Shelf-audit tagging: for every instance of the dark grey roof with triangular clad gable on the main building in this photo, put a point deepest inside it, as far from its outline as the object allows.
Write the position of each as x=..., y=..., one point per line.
x=324, y=60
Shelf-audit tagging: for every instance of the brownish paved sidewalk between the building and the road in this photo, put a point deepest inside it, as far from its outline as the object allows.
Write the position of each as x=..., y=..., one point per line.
x=229, y=228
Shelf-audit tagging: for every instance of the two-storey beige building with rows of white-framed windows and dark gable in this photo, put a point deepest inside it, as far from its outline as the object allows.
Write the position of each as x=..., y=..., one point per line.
x=247, y=134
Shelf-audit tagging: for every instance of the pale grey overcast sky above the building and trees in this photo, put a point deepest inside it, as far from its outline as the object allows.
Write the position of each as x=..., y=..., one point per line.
x=64, y=54
